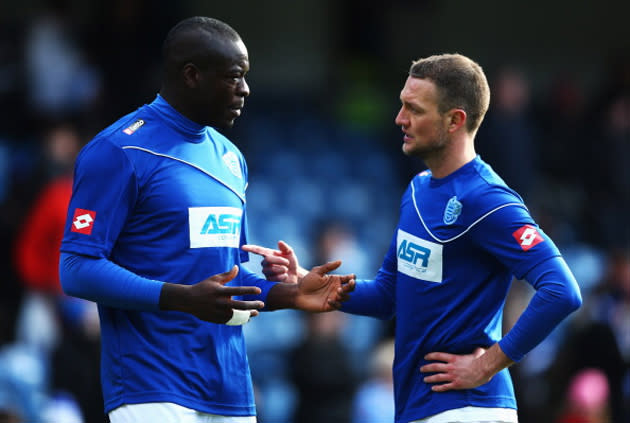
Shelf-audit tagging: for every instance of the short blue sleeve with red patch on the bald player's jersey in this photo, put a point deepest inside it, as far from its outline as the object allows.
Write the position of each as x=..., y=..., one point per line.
x=103, y=194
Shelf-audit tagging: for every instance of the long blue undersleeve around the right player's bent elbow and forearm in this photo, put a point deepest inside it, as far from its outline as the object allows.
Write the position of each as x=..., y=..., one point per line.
x=557, y=295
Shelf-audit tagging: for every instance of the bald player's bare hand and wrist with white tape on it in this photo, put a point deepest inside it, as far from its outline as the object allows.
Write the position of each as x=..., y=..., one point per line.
x=211, y=300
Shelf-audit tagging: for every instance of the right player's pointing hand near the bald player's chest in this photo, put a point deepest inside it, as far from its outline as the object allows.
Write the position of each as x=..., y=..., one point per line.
x=278, y=265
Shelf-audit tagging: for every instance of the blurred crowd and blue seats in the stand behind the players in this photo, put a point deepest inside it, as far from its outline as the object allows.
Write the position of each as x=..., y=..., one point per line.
x=327, y=180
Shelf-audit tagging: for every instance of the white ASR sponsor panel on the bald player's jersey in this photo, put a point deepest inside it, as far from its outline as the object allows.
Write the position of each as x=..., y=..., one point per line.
x=214, y=226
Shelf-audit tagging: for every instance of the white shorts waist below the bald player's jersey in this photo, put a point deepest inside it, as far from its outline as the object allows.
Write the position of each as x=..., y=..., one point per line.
x=167, y=412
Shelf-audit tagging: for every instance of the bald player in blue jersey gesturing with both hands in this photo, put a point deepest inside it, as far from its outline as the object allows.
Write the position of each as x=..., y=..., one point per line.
x=153, y=235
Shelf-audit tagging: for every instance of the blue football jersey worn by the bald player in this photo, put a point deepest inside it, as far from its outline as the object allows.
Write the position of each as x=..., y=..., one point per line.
x=164, y=198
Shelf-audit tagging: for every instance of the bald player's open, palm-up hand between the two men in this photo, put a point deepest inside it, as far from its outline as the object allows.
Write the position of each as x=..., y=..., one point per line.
x=318, y=291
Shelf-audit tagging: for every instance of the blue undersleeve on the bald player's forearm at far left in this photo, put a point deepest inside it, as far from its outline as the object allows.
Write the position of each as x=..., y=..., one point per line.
x=104, y=282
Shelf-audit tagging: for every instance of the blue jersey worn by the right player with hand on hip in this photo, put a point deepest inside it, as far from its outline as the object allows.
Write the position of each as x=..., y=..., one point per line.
x=459, y=241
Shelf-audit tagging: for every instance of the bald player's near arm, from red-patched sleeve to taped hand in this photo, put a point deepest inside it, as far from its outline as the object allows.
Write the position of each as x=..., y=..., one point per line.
x=105, y=191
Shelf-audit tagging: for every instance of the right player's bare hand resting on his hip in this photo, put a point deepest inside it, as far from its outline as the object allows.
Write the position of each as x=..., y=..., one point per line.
x=453, y=371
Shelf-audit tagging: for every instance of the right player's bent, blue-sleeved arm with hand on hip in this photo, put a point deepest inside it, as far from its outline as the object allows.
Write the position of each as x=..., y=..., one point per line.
x=557, y=295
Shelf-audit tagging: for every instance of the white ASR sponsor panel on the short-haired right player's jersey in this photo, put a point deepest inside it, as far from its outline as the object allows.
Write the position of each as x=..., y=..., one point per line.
x=419, y=258
